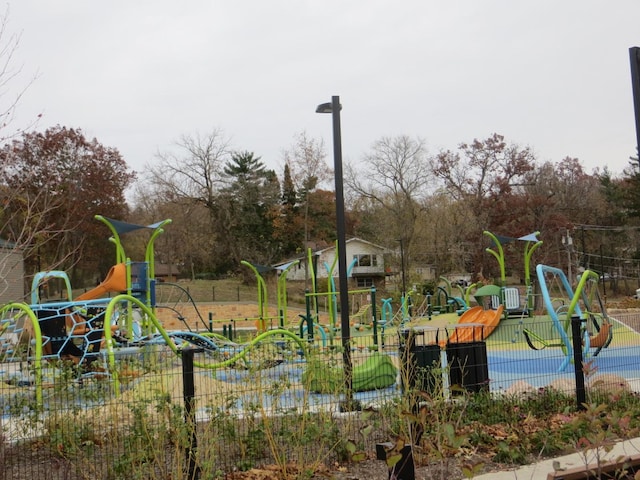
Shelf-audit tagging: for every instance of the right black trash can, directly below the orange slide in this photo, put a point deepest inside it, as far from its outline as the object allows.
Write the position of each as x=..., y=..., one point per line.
x=467, y=361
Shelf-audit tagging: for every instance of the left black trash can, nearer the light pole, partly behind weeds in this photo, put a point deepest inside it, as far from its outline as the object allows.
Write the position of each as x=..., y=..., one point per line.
x=419, y=357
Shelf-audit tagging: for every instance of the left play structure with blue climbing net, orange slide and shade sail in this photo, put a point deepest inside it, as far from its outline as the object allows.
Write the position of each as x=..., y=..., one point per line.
x=81, y=330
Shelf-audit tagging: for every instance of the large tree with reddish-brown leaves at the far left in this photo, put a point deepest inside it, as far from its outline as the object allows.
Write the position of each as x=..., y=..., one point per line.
x=53, y=184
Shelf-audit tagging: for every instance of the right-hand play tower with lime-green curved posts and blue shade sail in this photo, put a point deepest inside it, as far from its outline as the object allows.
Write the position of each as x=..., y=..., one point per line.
x=510, y=296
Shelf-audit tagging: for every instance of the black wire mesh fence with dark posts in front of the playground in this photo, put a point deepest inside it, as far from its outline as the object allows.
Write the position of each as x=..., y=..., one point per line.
x=277, y=402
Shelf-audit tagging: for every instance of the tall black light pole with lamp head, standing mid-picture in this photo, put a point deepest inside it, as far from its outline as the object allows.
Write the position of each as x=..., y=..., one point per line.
x=334, y=108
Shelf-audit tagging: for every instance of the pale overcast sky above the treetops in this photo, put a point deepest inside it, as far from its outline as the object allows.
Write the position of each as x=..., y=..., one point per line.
x=138, y=74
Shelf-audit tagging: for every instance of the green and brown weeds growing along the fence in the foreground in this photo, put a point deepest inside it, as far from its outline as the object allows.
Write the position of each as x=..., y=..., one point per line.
x=266, y=415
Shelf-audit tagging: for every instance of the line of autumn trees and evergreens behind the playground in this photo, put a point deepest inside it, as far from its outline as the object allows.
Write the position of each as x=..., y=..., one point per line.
x=228, y=206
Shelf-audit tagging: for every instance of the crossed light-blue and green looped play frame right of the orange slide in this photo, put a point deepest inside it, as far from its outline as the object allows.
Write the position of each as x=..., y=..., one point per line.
x=585, y=303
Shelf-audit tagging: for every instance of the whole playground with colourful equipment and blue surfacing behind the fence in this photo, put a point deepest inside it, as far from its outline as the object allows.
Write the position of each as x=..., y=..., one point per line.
x=123, y=342
